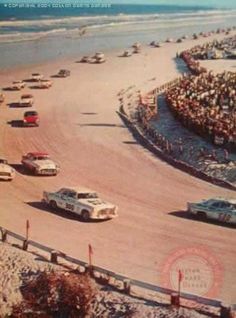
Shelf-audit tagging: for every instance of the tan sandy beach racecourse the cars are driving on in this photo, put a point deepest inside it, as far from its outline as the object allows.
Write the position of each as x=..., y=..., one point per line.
x=81, y=130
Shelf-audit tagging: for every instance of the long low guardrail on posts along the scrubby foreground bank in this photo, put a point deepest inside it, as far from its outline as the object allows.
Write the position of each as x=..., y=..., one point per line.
x=106, y=276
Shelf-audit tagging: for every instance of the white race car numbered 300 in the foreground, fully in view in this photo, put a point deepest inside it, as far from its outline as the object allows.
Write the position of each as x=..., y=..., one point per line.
x=83, y=202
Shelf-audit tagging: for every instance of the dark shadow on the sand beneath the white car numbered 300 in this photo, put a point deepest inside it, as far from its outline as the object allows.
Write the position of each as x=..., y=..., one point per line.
x=59, y=212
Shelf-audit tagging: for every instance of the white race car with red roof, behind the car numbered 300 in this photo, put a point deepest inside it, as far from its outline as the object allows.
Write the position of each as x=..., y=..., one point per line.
x=39, y=163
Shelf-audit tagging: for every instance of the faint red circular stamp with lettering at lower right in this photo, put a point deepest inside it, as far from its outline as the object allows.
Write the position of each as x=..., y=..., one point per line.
x=193, y=270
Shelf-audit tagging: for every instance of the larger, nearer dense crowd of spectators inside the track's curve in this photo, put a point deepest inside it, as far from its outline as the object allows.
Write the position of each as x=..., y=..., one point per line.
x=207, y=104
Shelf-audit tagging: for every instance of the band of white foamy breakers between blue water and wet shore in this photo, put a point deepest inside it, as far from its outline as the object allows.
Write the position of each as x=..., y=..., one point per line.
x=71, y=26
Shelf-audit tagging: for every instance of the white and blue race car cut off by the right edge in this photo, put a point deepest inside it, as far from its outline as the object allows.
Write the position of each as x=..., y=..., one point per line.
x=220, y=209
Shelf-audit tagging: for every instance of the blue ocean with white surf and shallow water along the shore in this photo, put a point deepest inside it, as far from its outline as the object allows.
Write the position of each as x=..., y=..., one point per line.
x=33, y=33
